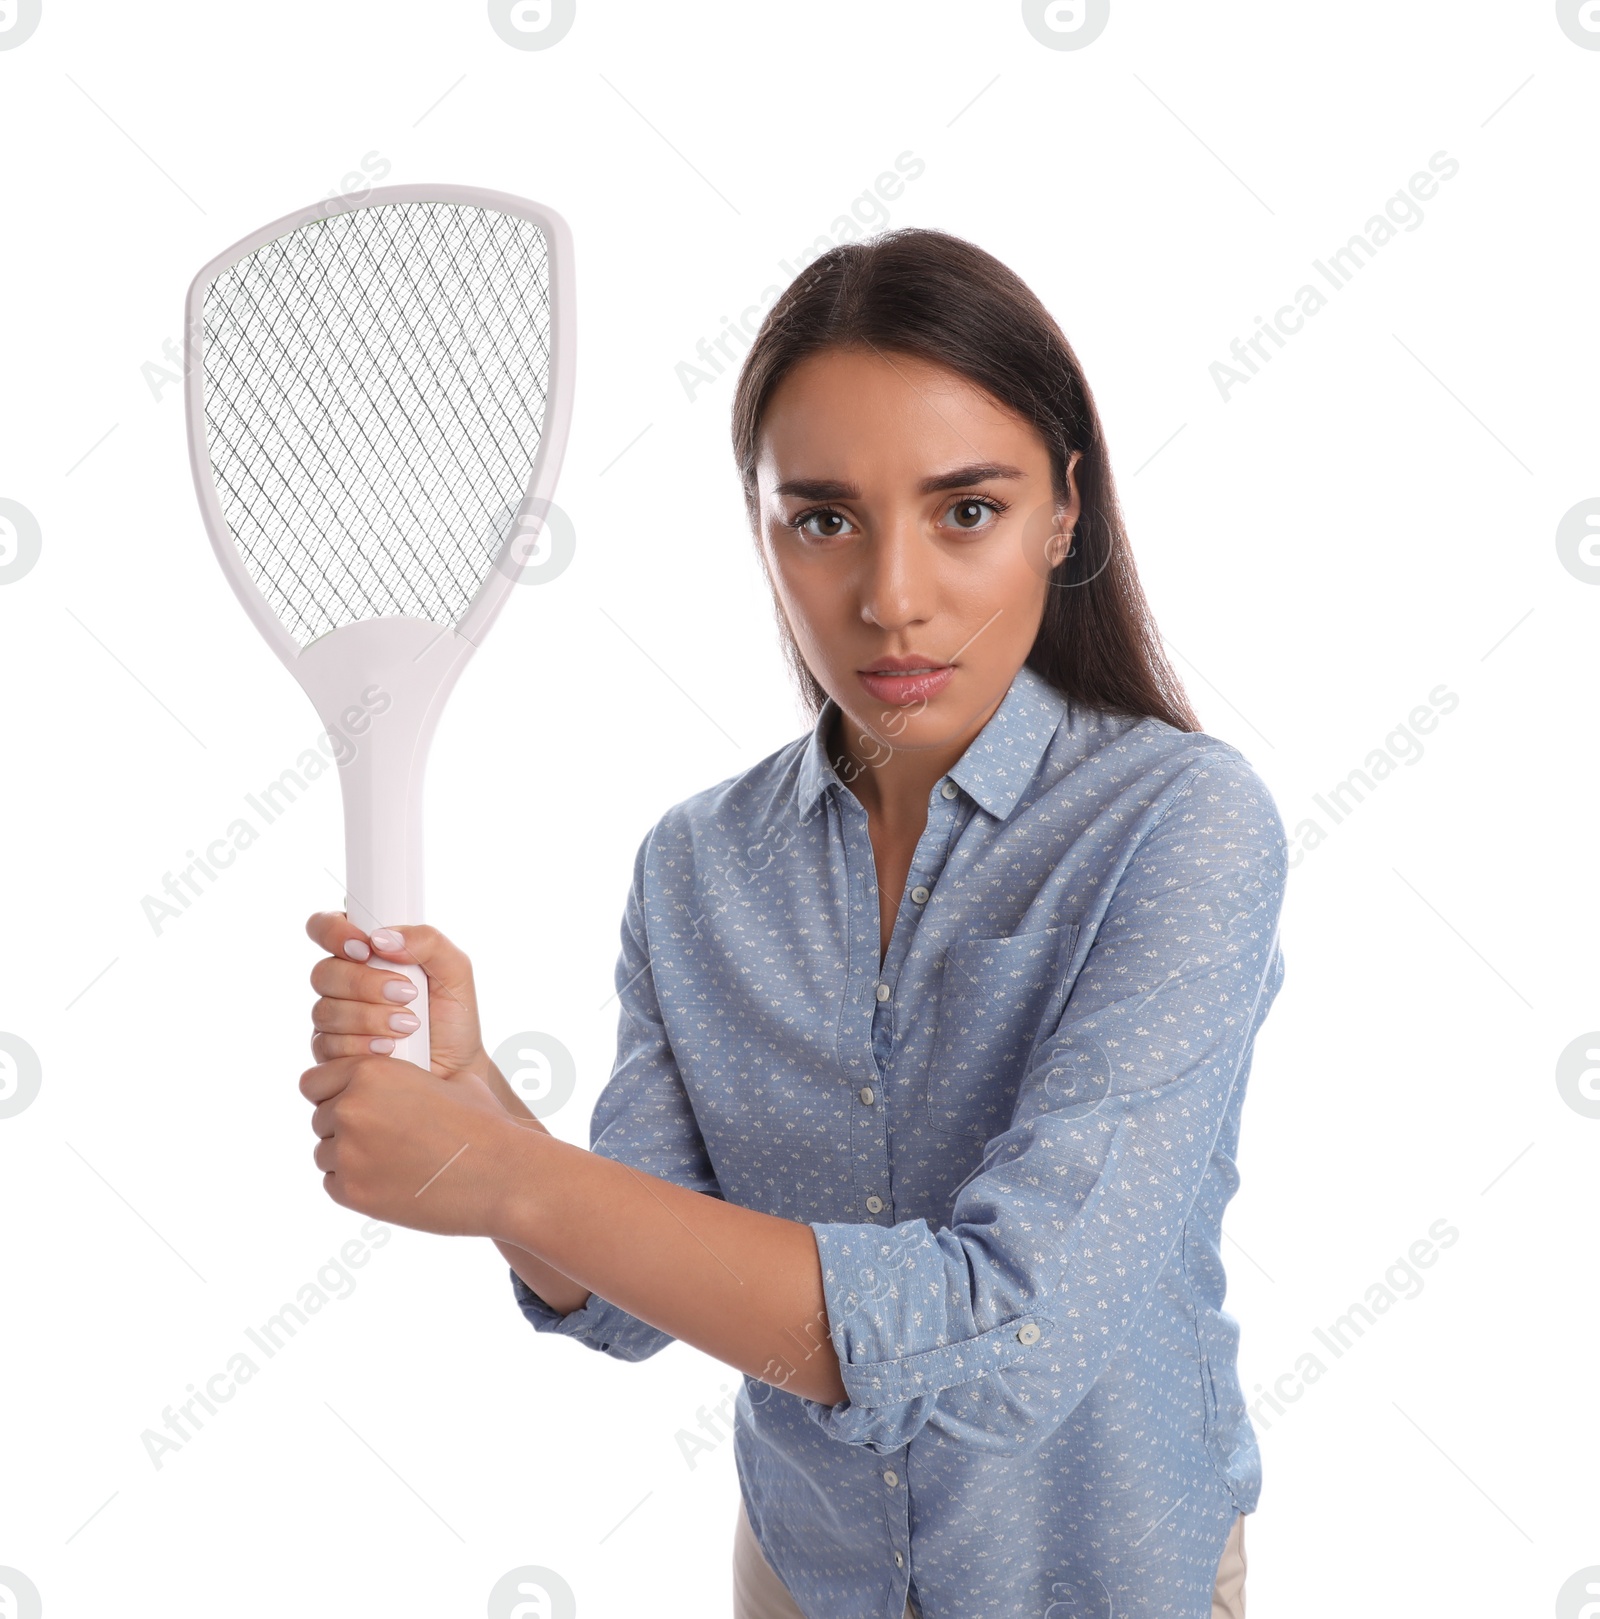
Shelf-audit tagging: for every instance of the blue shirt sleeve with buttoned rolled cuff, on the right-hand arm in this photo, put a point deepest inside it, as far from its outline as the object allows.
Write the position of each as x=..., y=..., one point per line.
x=995, y=1327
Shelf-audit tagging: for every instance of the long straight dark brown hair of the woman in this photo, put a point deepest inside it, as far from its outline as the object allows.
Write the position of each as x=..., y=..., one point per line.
x=945, y=300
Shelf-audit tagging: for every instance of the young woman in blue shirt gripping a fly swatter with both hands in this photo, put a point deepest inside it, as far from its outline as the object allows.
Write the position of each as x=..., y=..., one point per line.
x=935, y=1024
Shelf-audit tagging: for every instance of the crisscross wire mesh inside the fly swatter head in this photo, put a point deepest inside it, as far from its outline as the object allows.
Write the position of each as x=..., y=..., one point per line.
x=375, y=394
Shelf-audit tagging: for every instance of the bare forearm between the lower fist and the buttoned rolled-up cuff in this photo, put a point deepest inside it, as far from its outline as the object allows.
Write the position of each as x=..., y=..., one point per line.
x=743, y=1286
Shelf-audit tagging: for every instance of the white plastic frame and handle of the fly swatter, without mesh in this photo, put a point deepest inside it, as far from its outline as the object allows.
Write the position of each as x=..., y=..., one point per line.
x=415, y=661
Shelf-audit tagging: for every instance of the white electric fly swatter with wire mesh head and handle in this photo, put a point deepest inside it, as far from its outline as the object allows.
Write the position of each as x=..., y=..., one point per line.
x=378, y=404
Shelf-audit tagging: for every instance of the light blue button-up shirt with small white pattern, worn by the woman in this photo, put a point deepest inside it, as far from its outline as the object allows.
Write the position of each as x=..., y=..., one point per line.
x=1015, y=1141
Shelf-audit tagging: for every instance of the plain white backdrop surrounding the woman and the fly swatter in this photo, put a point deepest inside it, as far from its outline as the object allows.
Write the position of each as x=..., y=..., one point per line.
x=1371, y=517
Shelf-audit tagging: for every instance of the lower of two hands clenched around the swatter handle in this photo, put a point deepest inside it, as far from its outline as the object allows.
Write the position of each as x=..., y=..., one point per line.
x=415, y=1149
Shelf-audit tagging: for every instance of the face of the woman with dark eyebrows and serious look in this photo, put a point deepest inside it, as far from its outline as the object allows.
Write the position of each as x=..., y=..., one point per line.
x=909, y=529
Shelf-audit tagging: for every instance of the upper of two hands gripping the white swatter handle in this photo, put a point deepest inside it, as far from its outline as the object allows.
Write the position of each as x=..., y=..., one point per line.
x=360, y=998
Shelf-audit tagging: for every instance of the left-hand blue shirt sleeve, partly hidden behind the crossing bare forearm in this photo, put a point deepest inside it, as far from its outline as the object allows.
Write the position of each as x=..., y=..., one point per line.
x=644, y=1118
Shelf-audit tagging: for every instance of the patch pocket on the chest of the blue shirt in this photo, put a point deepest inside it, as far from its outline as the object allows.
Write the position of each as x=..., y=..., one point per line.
x=995, y=1000
